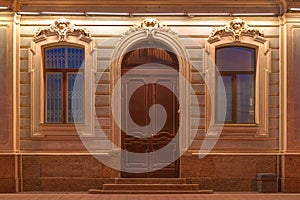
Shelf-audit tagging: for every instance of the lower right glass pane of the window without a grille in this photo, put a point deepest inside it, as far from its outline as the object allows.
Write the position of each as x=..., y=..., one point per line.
x=245, y=98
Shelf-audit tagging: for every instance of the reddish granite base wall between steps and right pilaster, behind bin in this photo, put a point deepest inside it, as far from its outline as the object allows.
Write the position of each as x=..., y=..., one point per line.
x=227, y=173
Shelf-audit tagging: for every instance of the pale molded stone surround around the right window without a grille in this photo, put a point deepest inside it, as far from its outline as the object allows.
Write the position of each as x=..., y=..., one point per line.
x=263, y=61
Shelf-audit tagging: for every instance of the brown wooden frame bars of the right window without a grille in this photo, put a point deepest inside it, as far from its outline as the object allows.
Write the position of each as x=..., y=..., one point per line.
x=234, y=89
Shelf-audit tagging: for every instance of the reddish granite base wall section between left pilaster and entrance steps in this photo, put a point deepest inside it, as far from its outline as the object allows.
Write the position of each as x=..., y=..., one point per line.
x=64, y=173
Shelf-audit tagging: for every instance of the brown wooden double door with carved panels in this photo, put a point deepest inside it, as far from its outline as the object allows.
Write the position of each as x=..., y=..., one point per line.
x=150, y=156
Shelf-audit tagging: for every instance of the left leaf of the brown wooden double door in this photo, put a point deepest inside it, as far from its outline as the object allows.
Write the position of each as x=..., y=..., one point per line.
x=138, y=108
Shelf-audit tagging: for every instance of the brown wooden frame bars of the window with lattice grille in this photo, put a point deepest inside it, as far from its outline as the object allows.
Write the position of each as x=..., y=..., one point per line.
x=64, y=72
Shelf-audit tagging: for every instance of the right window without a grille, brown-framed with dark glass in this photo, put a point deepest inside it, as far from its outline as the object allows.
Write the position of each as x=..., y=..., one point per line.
x=237, y=66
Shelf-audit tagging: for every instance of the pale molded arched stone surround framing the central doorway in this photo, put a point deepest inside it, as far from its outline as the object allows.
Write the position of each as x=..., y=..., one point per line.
x=151, y=29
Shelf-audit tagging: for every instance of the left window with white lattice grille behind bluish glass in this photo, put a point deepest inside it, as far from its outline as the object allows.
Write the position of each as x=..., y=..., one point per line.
x=63, y=75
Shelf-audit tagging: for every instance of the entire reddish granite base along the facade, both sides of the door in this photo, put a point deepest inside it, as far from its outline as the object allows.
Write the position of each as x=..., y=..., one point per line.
x=221, y=173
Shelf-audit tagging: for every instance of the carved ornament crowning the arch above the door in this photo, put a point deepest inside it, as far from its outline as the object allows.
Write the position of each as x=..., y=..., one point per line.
x=150, y=25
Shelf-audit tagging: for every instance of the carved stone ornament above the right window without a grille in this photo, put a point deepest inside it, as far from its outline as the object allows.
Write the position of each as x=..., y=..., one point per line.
x=235, y=28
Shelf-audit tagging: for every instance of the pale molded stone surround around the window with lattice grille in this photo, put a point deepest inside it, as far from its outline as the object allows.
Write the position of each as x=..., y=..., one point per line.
x=36, y=69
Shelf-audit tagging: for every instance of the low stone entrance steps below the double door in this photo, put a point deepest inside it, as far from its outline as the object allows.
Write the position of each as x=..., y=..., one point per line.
x=150, y=185
